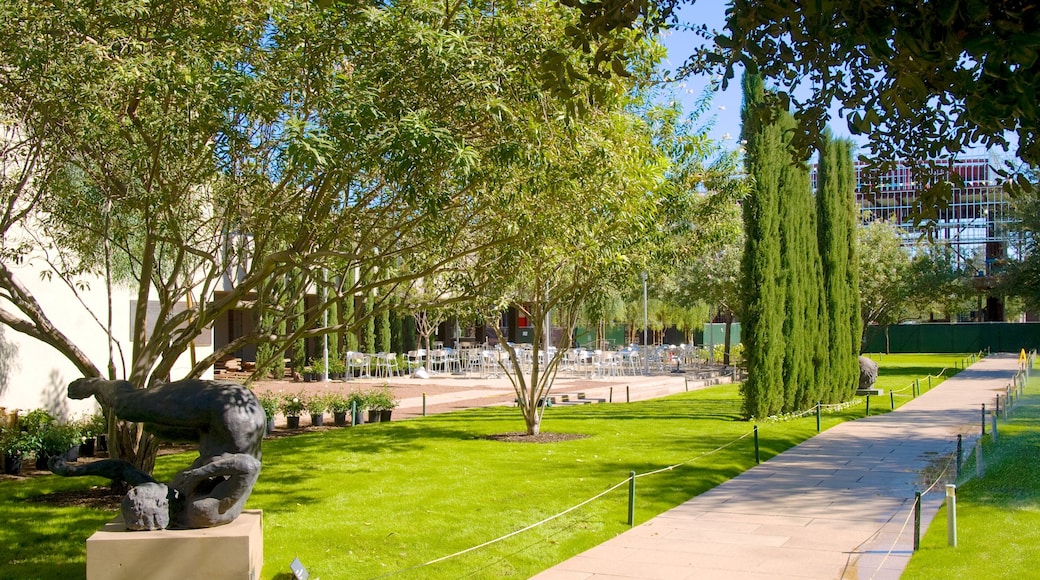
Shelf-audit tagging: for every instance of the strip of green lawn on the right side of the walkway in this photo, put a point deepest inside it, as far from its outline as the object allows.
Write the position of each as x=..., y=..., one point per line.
x=999, y=515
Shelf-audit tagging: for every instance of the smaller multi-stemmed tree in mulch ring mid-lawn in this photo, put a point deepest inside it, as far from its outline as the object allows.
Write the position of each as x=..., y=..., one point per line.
x=587, y=216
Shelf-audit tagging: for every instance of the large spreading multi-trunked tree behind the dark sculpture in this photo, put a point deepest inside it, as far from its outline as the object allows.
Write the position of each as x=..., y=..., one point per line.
x=172, y=148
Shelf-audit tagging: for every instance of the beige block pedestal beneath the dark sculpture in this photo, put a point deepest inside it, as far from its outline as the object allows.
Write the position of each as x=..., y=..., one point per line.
x=232, y=551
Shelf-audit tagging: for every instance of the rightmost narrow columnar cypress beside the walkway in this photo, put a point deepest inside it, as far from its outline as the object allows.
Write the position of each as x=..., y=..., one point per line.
x=837, y=210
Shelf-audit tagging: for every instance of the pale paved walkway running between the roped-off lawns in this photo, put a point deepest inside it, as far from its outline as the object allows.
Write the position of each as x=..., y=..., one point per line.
x=839, y=506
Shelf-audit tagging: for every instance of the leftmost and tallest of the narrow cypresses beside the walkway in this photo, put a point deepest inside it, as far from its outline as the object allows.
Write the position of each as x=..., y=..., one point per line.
x=763, y=288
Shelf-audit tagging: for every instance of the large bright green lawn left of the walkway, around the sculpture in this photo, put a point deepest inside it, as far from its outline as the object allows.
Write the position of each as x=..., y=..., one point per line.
x=375, y=500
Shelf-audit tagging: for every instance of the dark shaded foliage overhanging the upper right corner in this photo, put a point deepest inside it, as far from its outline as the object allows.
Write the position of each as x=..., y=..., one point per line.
x=922, y=80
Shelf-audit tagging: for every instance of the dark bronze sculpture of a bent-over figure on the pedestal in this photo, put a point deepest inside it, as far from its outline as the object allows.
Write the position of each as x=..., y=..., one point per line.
x=227, y=421
